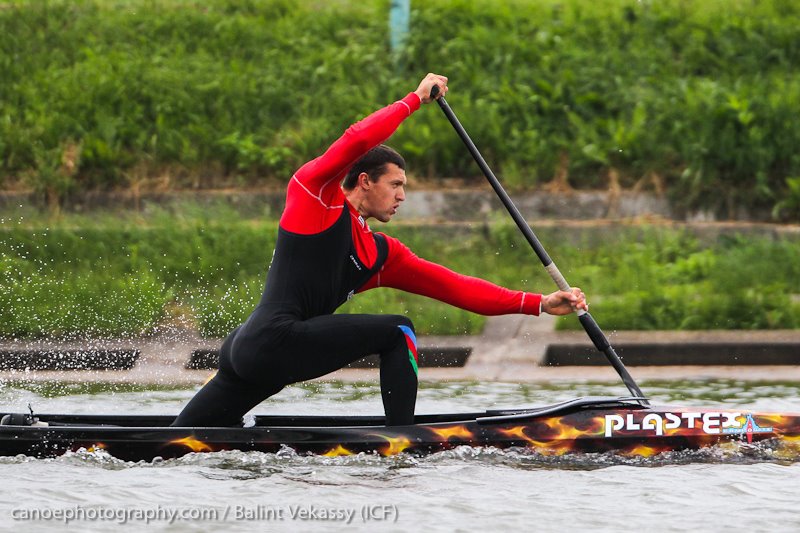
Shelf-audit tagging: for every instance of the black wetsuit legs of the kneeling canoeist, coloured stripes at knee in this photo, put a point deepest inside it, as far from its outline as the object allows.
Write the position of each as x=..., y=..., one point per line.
x=311, y=348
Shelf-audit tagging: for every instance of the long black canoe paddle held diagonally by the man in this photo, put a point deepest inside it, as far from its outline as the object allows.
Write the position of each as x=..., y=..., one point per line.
x=587, y=321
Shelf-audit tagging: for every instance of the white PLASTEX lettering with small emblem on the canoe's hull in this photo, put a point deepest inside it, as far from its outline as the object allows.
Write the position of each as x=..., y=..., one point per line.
x=711, y=423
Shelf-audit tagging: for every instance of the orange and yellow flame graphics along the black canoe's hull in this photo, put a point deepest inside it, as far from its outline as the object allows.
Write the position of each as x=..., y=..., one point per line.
x=570, y=433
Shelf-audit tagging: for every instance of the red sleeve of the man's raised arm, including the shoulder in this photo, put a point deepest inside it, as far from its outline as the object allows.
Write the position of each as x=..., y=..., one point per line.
x=315, y=186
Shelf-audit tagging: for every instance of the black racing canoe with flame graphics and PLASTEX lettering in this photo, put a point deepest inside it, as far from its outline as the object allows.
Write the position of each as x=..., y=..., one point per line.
x=582, y=425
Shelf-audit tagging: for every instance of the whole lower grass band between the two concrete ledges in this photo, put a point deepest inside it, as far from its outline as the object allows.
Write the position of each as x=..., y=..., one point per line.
x=126, y=274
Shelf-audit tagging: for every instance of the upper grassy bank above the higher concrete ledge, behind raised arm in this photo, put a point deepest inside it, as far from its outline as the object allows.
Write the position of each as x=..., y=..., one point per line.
x=696, y=98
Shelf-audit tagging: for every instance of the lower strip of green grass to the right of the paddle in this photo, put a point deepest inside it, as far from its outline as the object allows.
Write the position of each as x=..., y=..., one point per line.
x=669, y=281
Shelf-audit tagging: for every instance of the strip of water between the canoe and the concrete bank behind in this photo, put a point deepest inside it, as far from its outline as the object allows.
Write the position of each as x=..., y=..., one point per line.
x=332, y=397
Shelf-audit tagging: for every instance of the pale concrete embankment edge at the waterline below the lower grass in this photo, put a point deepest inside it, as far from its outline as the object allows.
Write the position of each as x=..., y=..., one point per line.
x=512, y=348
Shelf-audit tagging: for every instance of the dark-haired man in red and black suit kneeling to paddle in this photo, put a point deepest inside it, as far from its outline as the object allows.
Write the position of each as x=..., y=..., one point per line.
x=325, y=252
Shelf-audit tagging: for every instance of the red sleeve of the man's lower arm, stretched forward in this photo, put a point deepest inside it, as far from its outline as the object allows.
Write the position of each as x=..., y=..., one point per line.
x=405, y=271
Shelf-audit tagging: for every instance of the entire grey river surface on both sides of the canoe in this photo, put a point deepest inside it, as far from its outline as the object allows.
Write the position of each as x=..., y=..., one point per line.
x=465, y=489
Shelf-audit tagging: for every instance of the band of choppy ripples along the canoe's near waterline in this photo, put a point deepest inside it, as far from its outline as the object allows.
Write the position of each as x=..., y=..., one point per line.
x=242, y=465
